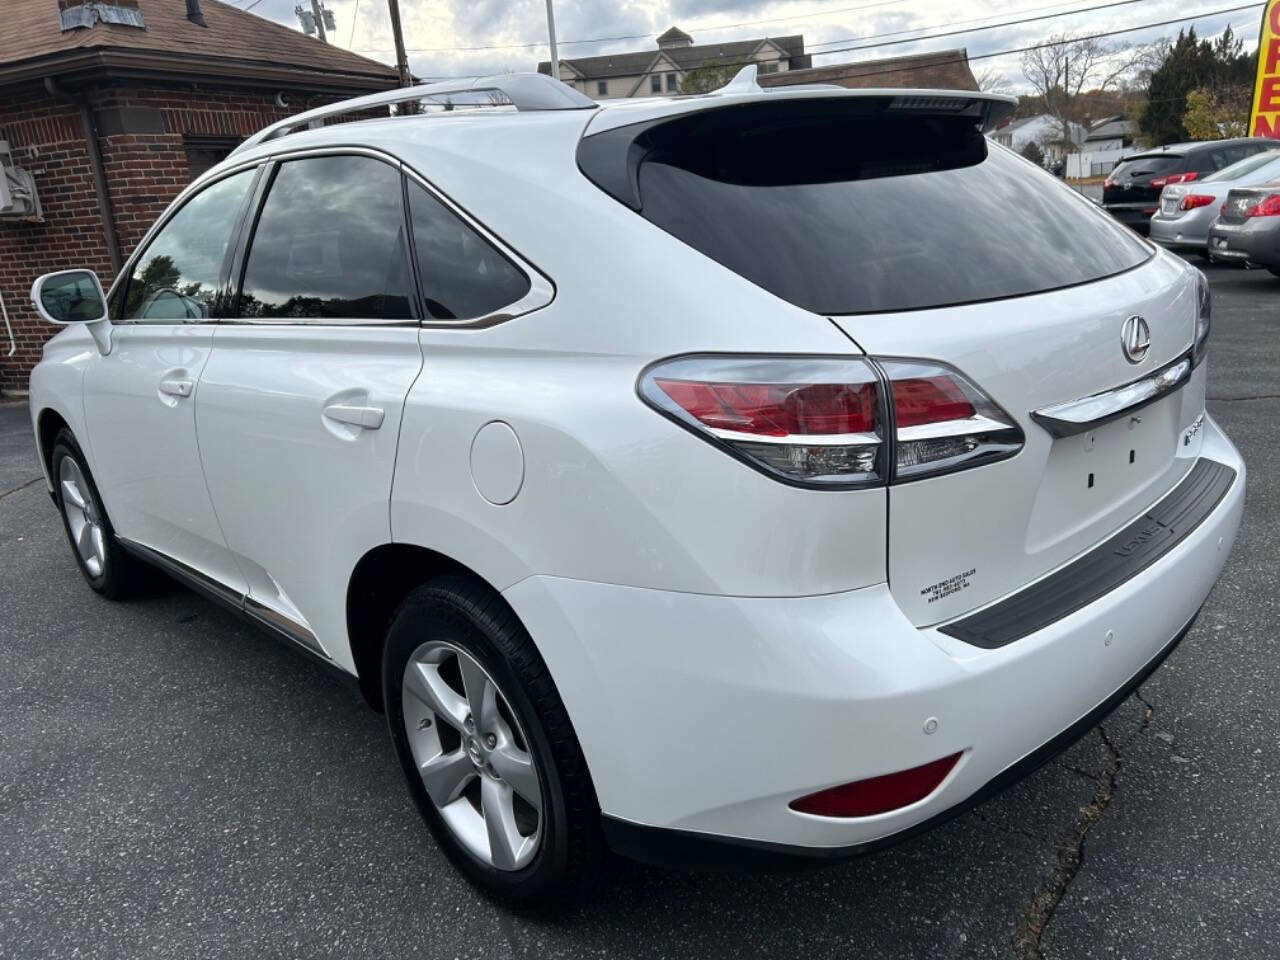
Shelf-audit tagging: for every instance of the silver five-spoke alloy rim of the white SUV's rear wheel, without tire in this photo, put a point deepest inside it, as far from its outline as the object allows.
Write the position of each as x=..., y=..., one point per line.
x=474, y=758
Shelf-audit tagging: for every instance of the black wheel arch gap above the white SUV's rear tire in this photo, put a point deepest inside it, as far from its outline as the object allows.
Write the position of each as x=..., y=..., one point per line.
x=378, y=584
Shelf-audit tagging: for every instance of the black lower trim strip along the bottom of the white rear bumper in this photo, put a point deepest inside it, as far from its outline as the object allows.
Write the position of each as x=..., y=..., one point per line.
x=685, y=849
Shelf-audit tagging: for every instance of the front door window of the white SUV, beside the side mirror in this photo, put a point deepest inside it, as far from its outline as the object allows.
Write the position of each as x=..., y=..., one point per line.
x=180, y=275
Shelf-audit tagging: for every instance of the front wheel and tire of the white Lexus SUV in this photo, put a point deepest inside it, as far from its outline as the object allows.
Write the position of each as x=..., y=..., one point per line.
x=107, y=568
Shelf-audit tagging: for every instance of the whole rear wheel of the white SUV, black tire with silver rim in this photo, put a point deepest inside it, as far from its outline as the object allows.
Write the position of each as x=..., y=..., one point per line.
x=436, y=629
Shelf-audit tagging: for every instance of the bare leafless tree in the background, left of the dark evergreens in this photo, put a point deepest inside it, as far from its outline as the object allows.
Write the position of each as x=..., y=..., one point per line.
x=1067, y=67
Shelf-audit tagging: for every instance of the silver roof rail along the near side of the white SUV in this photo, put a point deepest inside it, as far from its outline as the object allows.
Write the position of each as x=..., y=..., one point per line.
x=527, y=92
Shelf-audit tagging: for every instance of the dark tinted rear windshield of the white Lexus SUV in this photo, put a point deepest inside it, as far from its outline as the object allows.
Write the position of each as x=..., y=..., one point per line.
x=867, y=213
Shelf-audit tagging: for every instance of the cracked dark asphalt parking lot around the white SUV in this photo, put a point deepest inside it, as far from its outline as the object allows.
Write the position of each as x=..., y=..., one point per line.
x=175, y=784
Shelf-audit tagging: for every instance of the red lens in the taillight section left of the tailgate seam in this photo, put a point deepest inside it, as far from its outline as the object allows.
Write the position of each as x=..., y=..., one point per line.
x=778, y=409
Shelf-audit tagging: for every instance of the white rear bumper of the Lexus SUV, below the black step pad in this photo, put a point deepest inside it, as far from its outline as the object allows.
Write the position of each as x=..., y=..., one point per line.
x=703, y=717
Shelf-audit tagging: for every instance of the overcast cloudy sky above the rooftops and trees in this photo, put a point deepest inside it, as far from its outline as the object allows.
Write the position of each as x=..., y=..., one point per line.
x=470, y=38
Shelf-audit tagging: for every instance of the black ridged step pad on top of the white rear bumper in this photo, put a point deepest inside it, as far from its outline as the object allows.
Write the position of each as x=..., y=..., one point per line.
x=1103, y=569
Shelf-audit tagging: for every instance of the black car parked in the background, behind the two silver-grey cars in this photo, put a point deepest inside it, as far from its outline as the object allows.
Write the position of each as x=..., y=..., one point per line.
x=1132, y=193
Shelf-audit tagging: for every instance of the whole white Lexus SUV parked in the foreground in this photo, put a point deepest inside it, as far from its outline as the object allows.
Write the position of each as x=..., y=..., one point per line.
x=743, y=476
